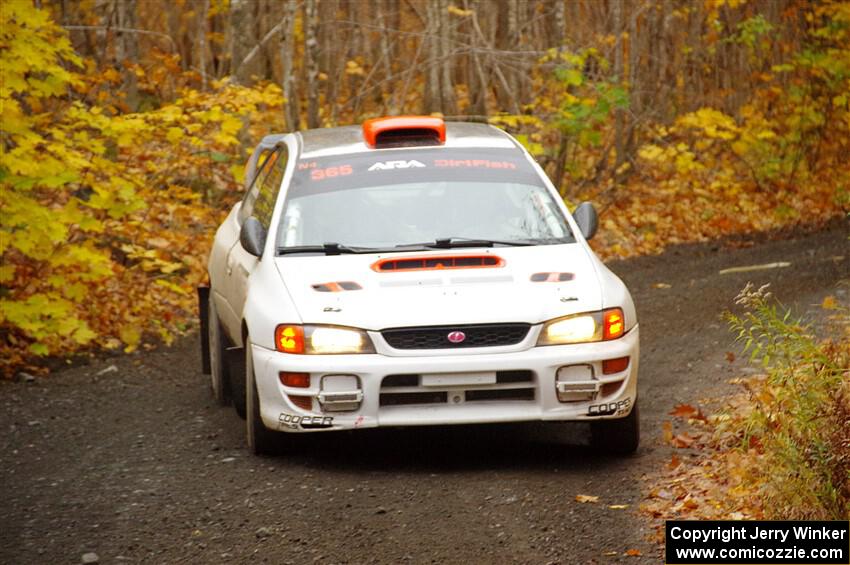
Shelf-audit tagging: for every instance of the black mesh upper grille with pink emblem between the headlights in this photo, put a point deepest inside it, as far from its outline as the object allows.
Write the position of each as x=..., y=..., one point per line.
x=437, y=337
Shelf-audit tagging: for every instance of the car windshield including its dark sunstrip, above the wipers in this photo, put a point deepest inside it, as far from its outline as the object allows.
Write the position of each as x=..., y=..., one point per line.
x=416, y=202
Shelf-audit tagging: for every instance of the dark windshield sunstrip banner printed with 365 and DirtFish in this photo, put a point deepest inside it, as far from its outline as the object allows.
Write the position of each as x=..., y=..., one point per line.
x=358, y=170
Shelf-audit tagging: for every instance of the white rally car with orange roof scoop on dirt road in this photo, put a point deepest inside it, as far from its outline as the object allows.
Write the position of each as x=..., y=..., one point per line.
x=413, y=272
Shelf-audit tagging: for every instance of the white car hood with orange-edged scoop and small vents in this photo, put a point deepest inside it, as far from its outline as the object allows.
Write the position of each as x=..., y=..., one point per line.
x=472, y=295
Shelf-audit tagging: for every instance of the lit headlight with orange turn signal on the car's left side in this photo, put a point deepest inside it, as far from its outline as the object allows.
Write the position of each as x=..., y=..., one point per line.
x=321, y=340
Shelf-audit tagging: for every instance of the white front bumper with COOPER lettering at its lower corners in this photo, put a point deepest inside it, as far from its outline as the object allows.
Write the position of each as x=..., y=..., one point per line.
x=445, y=389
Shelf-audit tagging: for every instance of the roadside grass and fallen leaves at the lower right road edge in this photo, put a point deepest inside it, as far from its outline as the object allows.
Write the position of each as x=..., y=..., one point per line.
x=779, y=448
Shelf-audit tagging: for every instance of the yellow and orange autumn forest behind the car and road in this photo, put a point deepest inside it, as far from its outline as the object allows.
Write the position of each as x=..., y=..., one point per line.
x=126, y=124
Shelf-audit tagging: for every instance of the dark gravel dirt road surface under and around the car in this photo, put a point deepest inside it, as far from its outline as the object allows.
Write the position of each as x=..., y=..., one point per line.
x=128, y=457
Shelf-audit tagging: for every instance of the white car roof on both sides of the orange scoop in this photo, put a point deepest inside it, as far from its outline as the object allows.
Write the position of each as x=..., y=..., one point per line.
x=349, y=139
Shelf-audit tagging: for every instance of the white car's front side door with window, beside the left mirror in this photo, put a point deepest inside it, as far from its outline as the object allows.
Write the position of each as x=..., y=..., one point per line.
x=259, y=202
